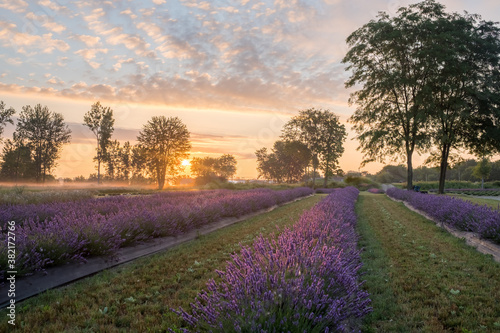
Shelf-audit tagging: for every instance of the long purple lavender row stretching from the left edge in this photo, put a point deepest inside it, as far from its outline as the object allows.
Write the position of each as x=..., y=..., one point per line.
x=51, y=234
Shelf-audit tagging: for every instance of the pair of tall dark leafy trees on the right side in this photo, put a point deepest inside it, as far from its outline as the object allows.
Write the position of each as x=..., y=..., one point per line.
x=430, y=82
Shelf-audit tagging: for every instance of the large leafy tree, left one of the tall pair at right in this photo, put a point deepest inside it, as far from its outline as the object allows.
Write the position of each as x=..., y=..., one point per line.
x=390, y=57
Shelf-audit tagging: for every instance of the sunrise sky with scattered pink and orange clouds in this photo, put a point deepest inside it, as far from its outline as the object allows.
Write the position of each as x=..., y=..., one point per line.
x=234, y=71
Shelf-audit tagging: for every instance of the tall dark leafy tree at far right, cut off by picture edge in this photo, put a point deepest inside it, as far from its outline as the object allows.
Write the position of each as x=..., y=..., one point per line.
x=464, y=92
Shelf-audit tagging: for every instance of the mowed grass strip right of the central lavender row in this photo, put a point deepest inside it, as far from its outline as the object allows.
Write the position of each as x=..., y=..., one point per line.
x=421, y=278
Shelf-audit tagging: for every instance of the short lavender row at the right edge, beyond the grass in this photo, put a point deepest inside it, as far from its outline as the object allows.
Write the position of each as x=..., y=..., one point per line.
x=457, y=213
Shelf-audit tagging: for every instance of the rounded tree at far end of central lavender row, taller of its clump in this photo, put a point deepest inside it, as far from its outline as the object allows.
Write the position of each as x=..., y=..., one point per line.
x=321, y=132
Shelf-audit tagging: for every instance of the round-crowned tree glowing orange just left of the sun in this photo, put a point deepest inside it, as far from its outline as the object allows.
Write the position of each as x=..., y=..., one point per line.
x=166, y=144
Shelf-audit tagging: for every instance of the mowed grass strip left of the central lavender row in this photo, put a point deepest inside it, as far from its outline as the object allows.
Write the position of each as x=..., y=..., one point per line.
x=137, y=297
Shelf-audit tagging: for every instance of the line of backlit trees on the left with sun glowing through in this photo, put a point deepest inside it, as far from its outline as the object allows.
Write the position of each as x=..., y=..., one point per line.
x=162, y=145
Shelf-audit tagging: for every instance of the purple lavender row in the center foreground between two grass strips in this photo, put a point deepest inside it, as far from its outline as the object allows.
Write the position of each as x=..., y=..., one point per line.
x=305, y=280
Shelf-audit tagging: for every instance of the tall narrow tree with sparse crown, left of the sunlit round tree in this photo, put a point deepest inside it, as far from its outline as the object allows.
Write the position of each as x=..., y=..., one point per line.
x=100, y=121
